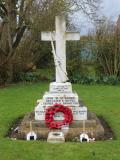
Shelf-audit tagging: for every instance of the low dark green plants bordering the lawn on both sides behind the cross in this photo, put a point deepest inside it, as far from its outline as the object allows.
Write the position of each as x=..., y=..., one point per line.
x=80, y=79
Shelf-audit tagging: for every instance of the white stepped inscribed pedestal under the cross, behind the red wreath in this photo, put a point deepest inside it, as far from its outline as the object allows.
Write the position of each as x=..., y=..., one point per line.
x=61, y=93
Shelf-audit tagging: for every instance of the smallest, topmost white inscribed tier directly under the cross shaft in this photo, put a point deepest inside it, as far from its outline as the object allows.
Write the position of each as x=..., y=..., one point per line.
x=60, y=87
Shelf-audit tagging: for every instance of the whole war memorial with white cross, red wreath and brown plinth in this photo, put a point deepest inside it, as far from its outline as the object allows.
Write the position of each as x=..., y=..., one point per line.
x=60, y=115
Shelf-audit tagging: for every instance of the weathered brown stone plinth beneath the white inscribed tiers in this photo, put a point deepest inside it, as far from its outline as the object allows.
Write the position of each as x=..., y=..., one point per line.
x=92, y=127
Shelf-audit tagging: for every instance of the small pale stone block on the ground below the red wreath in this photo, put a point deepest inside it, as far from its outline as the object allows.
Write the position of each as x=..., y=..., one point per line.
x=56, y=137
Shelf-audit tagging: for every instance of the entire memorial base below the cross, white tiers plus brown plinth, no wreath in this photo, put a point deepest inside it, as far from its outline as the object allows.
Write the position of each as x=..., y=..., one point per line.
x=83, y=121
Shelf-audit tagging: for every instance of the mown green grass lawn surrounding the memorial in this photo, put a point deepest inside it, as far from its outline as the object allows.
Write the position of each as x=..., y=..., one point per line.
x=20, y=99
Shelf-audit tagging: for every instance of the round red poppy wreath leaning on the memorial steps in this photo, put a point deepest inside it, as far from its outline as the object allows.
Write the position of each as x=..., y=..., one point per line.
x=51, y=111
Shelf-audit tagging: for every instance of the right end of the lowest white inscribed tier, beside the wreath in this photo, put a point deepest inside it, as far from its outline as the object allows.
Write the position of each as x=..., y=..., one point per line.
x=79, y=113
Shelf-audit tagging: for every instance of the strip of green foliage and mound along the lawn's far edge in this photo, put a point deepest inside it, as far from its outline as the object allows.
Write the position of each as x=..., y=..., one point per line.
x=75, y=77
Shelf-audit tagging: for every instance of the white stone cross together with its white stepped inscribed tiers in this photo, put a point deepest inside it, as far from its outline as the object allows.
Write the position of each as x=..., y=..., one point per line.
x=60, y=92
